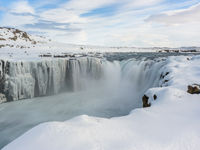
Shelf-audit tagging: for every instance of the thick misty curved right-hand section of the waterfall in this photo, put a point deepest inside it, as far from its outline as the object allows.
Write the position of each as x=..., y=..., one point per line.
x=128, y=80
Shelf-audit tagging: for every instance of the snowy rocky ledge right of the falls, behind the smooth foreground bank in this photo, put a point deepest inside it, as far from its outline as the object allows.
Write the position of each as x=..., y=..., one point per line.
x=179, y=73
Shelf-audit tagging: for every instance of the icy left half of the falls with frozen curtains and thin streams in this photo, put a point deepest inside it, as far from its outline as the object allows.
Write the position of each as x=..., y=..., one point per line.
x=22, y=80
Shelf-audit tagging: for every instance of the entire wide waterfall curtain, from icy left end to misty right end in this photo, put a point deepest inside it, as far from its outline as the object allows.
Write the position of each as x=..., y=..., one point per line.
x=22, y=80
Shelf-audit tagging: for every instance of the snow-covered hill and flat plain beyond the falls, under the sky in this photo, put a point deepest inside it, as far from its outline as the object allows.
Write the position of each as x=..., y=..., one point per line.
x=16, y=44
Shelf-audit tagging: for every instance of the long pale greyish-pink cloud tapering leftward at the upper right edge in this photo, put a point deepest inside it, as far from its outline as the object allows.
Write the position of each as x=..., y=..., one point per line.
x=191, y=14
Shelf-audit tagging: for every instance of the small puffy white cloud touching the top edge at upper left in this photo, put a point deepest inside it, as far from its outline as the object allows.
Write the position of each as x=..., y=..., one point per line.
x=21, y=7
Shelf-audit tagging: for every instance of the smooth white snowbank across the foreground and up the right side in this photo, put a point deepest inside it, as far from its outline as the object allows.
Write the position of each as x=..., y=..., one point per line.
x=171, y=123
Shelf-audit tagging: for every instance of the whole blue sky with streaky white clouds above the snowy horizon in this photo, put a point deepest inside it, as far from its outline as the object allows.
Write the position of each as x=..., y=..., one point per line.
x=137, y=23
